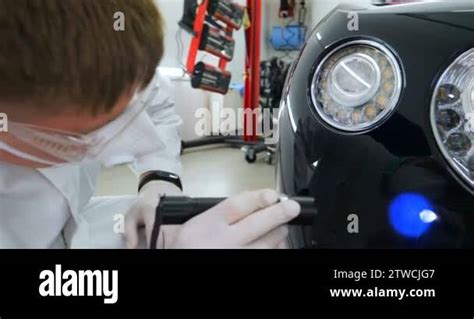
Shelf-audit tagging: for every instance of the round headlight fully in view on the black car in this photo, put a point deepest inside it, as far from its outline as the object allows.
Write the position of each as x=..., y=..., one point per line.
x=357, y=86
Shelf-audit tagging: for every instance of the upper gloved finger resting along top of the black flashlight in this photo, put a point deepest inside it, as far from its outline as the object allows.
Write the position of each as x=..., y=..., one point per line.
x=238, y=207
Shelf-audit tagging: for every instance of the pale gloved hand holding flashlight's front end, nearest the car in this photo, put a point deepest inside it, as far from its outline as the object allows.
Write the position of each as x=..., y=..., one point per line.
x=249, y=220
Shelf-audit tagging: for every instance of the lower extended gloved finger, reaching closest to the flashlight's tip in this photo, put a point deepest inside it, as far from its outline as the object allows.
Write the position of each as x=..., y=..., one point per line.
x=256, y=225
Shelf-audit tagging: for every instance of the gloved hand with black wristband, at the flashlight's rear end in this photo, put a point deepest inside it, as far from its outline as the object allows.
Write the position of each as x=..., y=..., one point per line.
x=142, y=213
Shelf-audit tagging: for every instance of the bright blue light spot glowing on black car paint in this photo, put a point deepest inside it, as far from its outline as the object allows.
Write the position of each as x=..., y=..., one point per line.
x=411, y=214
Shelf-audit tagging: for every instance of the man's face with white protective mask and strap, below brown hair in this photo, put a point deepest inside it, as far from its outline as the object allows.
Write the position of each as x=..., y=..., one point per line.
x=118, y=142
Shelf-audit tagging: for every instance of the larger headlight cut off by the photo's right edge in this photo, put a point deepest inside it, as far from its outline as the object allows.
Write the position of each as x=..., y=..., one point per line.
x=452, y=115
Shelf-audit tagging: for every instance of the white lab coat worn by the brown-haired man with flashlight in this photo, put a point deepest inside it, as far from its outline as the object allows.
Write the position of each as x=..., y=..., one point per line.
x=55, y=207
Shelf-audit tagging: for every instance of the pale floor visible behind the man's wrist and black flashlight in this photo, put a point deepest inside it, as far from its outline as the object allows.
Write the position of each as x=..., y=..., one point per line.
x=211, y=172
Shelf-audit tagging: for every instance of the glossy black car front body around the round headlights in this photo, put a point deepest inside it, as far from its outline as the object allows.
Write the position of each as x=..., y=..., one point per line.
x=362, y=174
